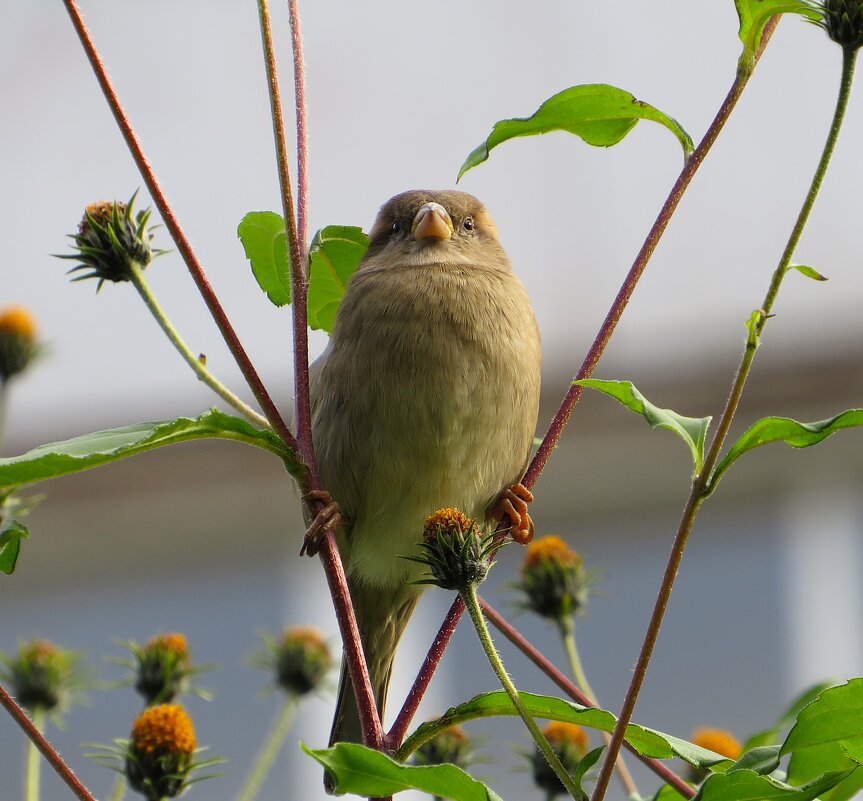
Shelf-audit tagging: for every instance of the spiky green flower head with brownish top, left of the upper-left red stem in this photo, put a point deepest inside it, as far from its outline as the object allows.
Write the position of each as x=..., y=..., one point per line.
x=110, y=239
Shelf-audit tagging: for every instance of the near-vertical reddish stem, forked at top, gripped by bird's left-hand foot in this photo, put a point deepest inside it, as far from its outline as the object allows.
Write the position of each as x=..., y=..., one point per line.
x=370, y=723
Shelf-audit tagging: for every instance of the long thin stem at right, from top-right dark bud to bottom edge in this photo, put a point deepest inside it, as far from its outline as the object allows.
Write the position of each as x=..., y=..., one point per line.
x=701, y=487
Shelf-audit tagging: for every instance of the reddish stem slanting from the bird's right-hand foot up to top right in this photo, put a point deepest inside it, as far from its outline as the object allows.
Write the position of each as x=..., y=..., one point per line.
x=638, y=266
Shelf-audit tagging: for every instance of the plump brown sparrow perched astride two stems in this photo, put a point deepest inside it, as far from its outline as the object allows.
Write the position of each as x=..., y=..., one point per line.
x=426, y=397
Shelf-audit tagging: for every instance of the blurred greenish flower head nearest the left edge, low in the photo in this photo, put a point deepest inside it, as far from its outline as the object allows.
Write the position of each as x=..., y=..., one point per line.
x=43, y=676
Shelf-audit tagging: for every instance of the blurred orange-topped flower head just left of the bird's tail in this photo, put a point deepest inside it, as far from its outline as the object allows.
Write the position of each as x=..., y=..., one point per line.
x=299, y=660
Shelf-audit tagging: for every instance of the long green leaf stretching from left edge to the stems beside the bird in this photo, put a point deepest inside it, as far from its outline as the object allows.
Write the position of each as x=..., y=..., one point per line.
x=92, y=450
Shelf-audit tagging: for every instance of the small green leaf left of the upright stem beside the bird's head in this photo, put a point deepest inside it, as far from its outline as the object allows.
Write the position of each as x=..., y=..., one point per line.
x=266, y=245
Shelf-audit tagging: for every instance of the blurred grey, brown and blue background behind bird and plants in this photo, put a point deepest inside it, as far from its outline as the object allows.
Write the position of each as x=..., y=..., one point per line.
x=203, y=538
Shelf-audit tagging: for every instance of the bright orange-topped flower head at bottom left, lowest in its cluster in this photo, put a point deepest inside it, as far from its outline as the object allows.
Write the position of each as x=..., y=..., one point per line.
x=159, y=752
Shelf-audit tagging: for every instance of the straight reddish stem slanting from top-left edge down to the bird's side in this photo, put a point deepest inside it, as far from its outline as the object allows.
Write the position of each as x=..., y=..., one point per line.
x=176, y=232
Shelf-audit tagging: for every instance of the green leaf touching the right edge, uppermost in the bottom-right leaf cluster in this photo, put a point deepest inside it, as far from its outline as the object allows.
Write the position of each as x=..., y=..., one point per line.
x=836, y=716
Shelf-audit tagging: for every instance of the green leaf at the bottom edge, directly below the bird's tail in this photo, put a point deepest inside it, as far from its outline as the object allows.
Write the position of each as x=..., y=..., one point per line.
x=366, y=772
